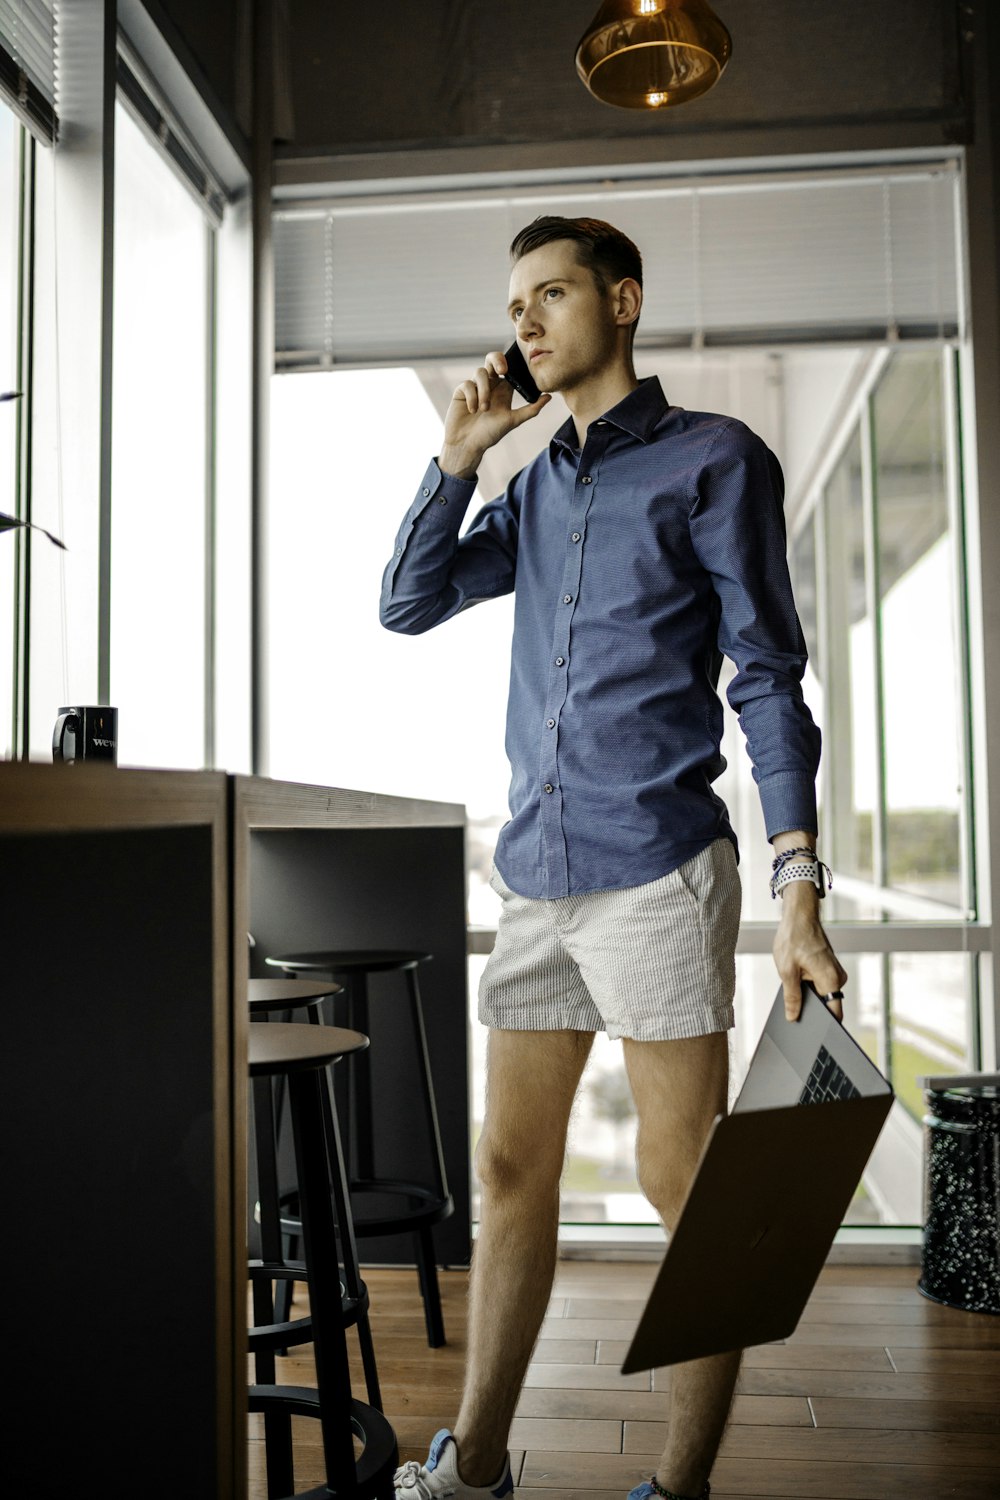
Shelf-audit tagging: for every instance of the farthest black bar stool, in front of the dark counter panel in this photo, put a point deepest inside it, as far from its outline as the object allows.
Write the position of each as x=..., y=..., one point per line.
x=416, y=1207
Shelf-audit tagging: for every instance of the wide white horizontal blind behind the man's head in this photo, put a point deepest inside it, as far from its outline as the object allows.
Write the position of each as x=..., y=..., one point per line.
x=842, y=256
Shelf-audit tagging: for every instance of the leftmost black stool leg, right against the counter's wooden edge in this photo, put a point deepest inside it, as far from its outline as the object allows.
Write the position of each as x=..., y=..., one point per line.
x=278, y=1426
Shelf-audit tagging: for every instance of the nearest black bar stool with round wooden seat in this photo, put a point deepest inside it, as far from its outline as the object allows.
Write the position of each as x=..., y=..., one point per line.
x=302, y=1055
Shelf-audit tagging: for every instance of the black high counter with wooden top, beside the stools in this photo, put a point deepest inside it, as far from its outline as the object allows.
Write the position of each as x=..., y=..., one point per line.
x=125, y=901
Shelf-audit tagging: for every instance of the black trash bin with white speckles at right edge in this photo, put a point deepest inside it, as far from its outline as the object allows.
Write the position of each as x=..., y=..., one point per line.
x=962, y=1192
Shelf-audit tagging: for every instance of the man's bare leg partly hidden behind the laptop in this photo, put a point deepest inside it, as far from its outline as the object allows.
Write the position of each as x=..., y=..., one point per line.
x=680, y=1088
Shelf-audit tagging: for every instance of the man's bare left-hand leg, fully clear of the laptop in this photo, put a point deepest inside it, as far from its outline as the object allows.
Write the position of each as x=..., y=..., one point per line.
x=531, y=1082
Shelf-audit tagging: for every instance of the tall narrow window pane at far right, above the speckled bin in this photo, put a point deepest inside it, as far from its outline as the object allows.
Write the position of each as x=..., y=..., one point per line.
x=921, y=662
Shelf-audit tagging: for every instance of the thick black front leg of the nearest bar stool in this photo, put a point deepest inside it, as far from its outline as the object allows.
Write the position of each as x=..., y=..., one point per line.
x=331, y=1348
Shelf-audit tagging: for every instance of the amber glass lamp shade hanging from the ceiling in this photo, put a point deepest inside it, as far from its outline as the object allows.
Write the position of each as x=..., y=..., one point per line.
x=648, y=55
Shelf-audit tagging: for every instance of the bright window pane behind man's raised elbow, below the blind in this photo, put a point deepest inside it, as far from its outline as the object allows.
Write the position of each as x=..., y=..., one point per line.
x=353, y=704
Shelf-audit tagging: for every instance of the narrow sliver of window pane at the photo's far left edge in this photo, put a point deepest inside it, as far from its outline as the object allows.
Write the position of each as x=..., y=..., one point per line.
x=10, y=223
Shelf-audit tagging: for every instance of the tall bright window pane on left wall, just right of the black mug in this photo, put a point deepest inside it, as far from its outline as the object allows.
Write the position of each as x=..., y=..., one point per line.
x=158, y=509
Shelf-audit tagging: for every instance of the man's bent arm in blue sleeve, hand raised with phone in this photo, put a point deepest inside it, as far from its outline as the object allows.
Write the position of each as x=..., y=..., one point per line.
x=434, y=574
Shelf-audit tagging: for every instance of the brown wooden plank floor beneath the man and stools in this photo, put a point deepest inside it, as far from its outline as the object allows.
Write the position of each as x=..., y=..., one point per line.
x=879, y=1394
